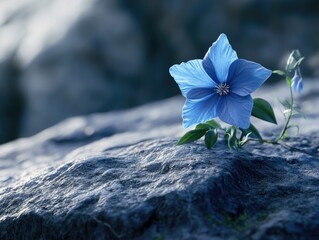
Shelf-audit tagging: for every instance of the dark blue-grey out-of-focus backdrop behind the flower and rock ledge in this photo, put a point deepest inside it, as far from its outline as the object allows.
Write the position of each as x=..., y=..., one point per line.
x=64, y=58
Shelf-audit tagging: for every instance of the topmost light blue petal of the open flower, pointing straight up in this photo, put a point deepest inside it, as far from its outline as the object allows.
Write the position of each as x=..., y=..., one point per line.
x=219, y=58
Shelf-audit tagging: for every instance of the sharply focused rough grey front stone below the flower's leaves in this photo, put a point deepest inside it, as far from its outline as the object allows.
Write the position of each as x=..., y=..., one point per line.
x=153, y=188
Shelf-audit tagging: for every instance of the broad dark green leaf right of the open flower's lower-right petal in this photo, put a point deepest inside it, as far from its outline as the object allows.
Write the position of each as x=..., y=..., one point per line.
x=263, y=110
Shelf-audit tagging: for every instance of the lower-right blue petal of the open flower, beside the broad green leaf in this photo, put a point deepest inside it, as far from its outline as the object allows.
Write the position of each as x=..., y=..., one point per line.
x=235, y=110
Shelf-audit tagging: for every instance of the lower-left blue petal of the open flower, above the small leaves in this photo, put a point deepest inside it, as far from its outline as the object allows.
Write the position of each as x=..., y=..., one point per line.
x=200, y=110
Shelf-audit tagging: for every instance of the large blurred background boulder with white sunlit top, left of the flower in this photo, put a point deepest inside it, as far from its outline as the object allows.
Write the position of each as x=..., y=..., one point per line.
x=69, y=60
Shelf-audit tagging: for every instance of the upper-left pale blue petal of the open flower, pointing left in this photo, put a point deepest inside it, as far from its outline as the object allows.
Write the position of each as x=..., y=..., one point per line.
x=191, y=75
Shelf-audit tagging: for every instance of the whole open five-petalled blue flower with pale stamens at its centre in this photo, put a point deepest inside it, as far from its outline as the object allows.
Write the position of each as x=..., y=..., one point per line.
x=219, y=86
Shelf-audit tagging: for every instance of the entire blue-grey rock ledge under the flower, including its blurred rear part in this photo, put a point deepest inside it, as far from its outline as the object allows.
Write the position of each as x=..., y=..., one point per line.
x=119, y=175
